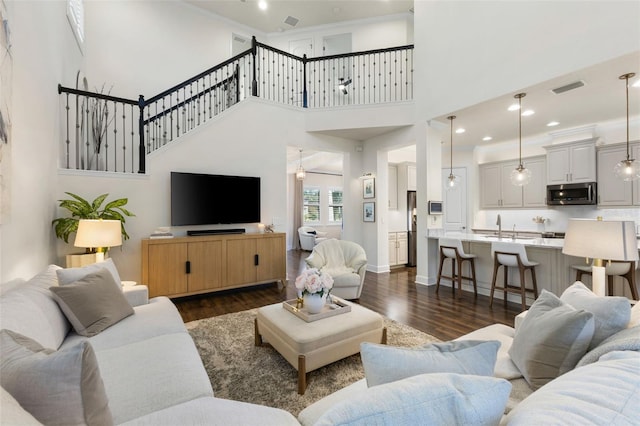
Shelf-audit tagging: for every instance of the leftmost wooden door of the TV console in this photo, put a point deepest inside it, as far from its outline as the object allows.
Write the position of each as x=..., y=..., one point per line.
x=166, y=269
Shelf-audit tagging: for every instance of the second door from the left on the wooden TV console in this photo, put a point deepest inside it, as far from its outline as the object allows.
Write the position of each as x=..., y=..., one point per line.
x=205, y=259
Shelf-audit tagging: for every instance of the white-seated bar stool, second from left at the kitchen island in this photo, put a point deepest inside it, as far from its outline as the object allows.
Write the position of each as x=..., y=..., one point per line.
x=512, y=255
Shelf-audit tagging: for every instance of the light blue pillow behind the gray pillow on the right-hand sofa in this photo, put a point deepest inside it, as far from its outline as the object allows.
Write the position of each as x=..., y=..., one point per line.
x=610, y=313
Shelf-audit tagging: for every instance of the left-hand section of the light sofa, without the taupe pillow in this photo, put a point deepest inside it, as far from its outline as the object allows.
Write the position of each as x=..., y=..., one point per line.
x=148, y=363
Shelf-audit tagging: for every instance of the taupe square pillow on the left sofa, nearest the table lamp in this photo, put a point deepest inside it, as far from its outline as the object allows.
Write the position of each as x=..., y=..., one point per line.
x=92, y=303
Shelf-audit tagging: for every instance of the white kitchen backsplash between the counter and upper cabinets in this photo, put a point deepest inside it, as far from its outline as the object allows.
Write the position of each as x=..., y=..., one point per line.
x=556, y=218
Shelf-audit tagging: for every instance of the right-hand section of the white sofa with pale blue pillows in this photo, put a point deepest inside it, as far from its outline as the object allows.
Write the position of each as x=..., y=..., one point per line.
x=596, y=378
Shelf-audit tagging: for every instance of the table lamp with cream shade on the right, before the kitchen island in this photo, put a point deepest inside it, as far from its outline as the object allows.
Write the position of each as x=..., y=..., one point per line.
x=601, y=240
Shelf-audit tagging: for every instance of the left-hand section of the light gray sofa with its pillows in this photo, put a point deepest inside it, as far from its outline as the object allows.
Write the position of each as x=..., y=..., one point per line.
x=149, y=369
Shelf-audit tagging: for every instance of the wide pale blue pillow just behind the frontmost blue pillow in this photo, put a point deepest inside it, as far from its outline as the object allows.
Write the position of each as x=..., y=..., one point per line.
x=384, y=364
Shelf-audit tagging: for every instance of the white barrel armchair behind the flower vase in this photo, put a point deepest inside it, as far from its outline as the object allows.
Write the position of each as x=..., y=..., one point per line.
x=345, y=261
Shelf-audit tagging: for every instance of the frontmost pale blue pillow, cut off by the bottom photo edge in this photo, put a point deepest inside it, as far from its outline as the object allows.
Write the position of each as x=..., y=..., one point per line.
x=427, y=399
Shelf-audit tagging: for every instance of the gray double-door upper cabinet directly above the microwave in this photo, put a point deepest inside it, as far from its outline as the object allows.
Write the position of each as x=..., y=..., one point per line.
x=573, y=162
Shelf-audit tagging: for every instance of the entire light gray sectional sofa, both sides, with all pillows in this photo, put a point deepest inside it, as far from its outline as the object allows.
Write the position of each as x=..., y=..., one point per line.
x=111, y=356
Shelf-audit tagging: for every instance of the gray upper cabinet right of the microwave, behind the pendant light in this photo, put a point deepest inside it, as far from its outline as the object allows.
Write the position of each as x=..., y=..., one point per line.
x=611, y=190
